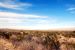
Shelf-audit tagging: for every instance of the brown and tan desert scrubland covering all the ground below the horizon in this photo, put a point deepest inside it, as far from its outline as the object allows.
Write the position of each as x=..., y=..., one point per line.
x=37, y=40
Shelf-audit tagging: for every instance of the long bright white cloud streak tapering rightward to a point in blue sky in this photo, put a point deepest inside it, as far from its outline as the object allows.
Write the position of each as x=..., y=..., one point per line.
x=16, y=15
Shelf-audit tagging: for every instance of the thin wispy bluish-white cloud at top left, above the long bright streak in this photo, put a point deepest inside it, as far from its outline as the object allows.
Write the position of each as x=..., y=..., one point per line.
x=17, y=6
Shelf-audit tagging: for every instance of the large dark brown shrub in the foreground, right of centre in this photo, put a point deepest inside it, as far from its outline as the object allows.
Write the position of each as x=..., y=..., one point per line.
x=51, y=42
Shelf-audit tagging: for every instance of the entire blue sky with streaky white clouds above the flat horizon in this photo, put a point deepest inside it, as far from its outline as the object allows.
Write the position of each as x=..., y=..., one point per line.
x=37, y=14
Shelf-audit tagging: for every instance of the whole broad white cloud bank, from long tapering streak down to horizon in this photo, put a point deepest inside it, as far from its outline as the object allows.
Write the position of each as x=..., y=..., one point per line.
x=27, y=21
